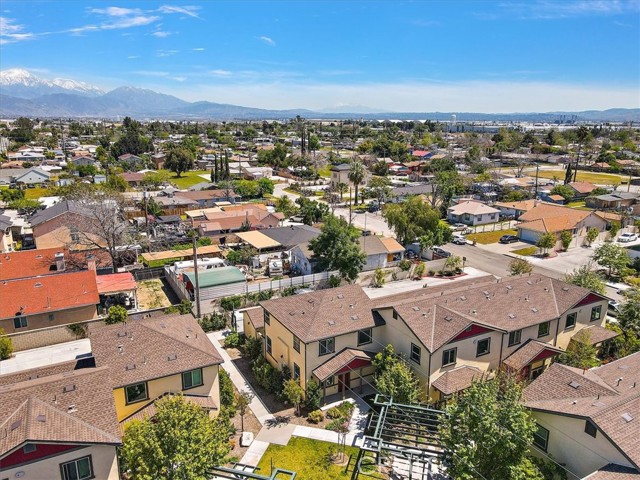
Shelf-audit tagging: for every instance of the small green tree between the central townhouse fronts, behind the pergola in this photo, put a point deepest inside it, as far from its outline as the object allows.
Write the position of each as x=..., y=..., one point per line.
x=394, y=377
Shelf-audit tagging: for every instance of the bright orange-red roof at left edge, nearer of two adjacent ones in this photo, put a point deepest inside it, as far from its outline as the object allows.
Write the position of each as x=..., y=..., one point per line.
x=48, y=293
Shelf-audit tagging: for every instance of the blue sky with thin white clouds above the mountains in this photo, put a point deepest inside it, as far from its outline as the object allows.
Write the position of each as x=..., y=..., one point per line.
x=486, y=56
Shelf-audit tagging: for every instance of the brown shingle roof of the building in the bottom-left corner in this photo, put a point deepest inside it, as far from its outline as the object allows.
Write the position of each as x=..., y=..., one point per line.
x=72, y=407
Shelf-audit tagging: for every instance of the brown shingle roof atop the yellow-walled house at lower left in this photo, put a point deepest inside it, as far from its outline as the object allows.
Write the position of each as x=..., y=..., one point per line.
x=142, y=350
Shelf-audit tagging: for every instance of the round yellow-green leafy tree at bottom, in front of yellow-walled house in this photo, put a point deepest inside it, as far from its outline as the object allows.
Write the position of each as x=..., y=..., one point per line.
x=180, y=442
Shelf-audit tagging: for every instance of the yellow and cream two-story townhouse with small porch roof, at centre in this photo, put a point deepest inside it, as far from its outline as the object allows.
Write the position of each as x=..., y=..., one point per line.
x=328, y=335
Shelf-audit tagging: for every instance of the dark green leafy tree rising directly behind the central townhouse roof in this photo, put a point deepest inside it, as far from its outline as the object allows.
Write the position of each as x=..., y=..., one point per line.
x=337, y=248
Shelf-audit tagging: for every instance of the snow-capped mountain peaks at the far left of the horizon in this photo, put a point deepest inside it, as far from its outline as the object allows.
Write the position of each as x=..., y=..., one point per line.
x=21, y=83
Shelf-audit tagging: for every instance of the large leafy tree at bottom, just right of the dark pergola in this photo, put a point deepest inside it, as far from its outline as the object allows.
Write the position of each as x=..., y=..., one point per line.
x=486, y=433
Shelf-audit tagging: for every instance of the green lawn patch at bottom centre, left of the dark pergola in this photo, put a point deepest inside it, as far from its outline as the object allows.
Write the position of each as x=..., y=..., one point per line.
x=309, y=459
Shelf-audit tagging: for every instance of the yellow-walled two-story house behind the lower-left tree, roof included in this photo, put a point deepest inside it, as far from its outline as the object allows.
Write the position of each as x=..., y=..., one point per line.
x=153, y=357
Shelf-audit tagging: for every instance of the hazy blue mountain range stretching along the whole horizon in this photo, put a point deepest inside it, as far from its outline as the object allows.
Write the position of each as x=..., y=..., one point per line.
x=25, y=94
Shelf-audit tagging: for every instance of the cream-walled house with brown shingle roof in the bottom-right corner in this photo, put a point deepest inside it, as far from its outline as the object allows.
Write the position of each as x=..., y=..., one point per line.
x=588, y=419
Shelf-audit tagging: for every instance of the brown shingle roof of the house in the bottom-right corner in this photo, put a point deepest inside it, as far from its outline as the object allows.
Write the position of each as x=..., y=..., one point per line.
x=608, y=395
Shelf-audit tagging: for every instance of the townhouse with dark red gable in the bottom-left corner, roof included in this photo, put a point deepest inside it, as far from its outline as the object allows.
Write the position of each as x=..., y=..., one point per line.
x=58, y=422
